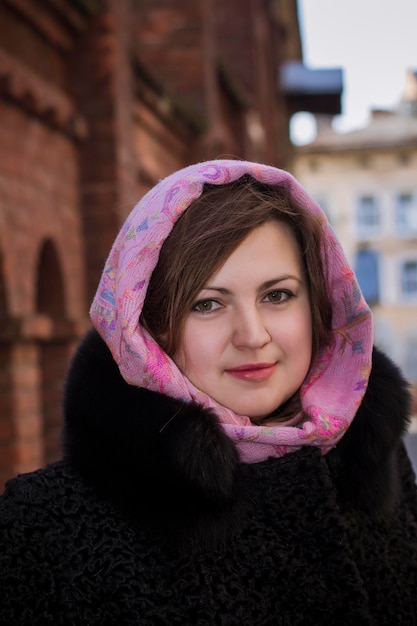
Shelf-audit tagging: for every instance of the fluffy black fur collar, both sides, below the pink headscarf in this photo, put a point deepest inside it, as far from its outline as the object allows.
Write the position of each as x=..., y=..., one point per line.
x=139, y=446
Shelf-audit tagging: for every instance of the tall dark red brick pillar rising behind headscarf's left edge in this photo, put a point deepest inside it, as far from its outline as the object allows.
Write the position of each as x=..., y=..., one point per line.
x=101, y=83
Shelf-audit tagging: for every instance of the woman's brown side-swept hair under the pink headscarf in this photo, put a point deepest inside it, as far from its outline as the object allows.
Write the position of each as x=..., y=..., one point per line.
x=207, y=233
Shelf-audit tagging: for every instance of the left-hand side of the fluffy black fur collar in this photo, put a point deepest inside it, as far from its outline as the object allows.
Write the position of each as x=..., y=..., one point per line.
x=151, y=454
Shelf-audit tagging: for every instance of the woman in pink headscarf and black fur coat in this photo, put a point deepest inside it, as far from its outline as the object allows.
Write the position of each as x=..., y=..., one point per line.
x=233, y=447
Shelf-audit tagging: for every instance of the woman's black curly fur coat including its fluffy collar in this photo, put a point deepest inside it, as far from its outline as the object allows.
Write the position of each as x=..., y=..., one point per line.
x=150, y=519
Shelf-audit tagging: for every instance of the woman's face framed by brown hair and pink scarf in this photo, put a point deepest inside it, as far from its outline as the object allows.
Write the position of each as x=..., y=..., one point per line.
x=247, y=340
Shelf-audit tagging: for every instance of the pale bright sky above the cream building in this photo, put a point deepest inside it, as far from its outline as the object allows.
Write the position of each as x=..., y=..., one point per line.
x=373, y=41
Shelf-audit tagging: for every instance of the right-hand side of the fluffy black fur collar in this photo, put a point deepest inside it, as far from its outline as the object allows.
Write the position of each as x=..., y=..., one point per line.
x=365, y=460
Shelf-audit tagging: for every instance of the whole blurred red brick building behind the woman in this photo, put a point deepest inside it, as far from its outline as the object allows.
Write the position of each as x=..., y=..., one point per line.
x=99, y=99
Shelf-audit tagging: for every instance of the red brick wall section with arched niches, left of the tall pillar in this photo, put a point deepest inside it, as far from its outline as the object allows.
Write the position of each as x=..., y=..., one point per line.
x=40, y=243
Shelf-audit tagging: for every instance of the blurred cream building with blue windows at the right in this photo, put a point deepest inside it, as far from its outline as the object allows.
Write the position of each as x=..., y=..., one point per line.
x=366, y=181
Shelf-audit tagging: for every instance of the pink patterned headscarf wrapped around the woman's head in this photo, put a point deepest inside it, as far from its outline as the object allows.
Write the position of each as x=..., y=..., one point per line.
x=338, y=378
